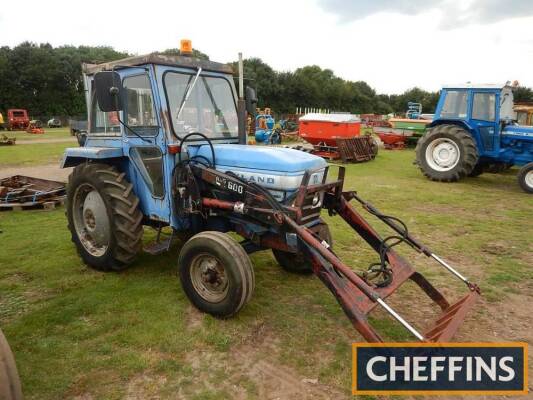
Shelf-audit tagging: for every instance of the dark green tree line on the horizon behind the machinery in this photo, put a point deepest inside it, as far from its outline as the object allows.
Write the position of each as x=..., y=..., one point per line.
x=47, y=81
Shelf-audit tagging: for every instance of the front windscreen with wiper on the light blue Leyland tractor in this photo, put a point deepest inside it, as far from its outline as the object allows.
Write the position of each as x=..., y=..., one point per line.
x=208, y=109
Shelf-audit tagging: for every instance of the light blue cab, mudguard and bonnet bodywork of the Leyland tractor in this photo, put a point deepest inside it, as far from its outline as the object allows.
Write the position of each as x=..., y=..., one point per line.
x=148, y=114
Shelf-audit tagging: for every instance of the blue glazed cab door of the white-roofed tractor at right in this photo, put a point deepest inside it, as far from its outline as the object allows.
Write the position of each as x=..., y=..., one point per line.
x=486, y=121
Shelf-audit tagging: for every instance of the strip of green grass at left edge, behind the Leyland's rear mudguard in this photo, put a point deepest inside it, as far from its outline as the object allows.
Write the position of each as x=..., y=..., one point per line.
x=32, y=154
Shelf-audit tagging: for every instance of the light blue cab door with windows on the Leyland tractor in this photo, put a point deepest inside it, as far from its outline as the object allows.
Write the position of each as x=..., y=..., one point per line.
x=143, y=144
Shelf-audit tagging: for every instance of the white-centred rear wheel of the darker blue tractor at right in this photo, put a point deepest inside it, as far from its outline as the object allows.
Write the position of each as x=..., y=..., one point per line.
x=446, y=153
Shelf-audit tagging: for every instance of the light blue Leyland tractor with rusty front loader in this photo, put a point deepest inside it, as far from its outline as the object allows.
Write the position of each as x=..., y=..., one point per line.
x=166, y=148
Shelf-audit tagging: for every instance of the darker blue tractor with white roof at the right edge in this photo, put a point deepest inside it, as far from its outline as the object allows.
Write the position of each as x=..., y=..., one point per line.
x=474, y=131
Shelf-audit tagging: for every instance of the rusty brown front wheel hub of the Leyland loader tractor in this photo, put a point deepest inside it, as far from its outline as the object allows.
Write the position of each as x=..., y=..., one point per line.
x=209, y=278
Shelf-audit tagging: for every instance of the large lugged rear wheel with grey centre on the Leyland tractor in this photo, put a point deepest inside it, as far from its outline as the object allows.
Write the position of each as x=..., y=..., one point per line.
x=103, y=217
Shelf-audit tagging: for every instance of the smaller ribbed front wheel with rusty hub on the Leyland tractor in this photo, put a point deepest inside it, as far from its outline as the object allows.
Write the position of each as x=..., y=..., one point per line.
x=216, y=273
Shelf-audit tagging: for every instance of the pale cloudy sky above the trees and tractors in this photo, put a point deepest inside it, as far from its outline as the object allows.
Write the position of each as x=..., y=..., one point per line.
x=393, y=45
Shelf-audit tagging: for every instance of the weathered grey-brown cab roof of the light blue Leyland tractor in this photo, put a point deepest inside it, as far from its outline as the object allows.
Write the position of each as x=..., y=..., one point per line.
x=159, y=59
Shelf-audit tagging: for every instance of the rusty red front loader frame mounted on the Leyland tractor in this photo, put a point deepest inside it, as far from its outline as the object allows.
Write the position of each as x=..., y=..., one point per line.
x=207, y=192
